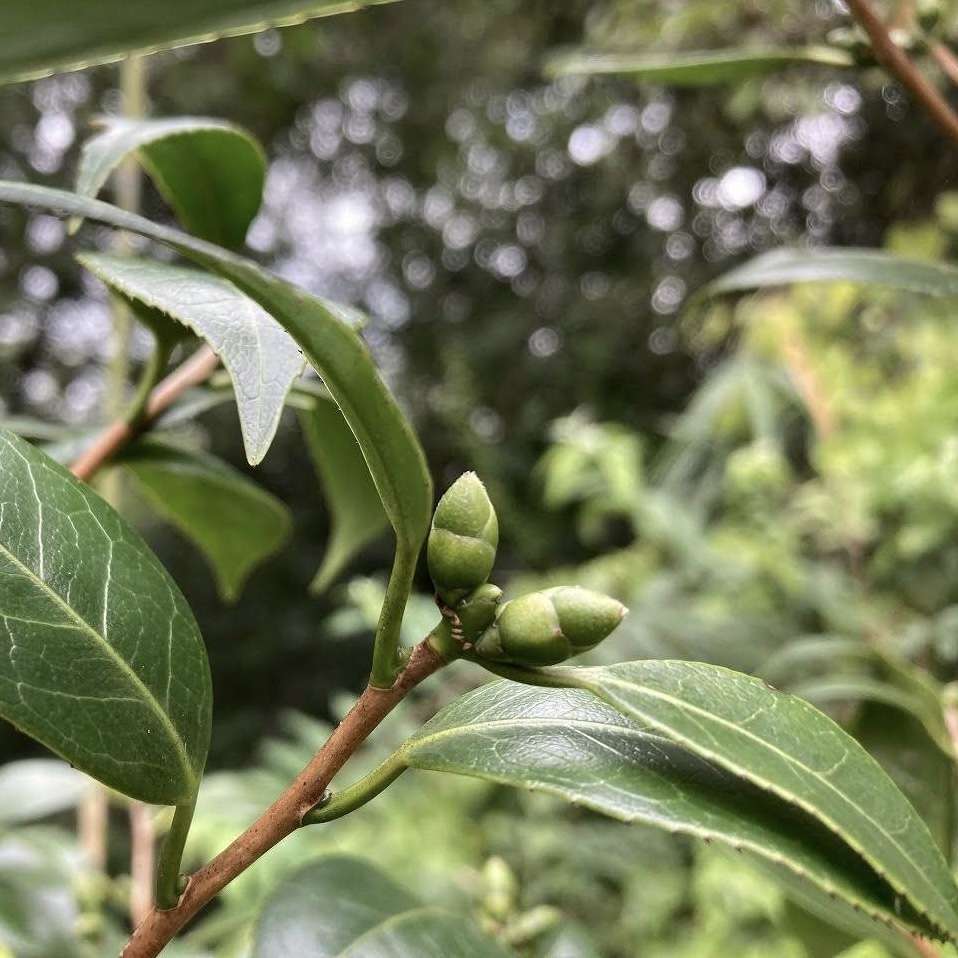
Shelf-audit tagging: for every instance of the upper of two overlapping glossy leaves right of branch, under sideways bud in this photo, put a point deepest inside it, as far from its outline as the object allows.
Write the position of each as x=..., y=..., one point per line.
x=783, y=745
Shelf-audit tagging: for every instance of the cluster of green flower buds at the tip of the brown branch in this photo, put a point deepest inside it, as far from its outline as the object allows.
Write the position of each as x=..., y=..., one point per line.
x=542, y=628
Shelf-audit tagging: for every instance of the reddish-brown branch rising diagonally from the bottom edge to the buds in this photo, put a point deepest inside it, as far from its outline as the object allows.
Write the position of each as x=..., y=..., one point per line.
x=285, y=815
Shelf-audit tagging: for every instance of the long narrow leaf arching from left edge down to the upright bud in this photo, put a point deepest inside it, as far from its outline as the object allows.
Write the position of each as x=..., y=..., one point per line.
x=325, y=332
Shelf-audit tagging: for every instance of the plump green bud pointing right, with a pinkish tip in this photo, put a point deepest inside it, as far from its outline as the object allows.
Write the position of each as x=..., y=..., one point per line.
x=545, y=628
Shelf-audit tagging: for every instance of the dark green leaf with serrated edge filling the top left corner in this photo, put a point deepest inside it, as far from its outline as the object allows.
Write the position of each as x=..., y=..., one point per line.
x=40, y=37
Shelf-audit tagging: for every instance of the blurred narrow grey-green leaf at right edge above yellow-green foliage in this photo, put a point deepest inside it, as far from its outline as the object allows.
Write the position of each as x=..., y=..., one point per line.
x=866, y=266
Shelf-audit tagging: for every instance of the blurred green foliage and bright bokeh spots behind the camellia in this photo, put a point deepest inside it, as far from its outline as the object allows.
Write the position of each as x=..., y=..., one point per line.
x=770, y=484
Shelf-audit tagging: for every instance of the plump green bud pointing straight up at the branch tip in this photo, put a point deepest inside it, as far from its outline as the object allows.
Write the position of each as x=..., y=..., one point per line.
x=462, y=542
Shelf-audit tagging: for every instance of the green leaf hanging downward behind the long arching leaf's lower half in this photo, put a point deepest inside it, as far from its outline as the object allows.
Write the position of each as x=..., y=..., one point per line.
x=356, y=512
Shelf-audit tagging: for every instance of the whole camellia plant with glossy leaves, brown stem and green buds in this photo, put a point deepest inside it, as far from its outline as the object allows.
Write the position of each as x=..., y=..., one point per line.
x=105, y=665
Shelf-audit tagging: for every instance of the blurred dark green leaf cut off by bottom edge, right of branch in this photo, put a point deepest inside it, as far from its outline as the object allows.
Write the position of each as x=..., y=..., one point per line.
x=342, y=907
